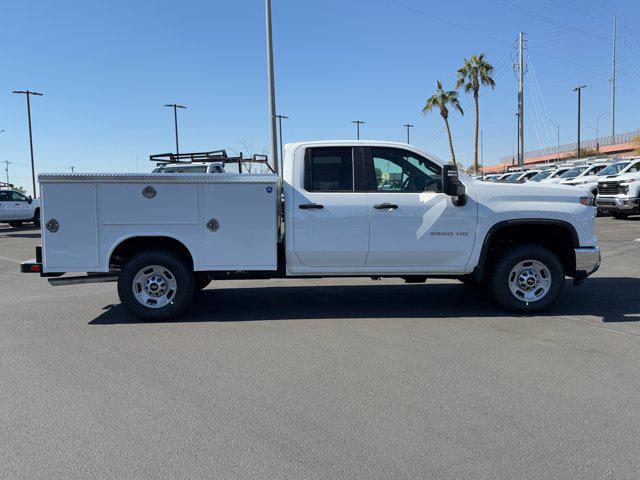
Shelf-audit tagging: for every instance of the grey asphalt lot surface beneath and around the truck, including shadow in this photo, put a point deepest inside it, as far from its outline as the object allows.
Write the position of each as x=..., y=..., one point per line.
x=322, y=379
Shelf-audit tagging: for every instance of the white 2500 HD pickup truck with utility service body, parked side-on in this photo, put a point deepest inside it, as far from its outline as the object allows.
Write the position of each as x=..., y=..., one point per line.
x=341, y=208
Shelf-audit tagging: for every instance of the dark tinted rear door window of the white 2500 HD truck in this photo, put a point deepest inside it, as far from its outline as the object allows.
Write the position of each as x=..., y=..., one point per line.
x=329, y=169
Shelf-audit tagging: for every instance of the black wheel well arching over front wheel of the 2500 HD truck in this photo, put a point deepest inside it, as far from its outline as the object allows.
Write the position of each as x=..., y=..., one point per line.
x=559, y=238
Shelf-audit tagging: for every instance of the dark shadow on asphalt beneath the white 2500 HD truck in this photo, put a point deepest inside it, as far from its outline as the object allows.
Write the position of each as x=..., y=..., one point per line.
x=614, y=299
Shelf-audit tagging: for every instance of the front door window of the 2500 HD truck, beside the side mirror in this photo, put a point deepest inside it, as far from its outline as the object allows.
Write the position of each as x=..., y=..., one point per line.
x=399, y=170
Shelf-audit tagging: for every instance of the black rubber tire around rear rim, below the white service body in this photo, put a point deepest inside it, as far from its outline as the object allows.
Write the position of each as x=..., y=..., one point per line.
x=180, y=272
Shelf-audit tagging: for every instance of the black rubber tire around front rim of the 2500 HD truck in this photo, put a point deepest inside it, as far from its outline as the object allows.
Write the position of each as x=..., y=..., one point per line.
x=507, y=260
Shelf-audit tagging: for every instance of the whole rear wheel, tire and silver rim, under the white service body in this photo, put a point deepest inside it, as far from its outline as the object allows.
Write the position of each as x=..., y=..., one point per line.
x=156, y=285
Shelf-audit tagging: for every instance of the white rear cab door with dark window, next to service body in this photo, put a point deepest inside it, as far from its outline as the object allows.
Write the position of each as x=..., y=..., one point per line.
x=331, y=219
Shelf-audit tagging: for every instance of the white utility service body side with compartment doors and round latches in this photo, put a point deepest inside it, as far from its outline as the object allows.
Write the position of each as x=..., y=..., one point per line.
x=96, y=212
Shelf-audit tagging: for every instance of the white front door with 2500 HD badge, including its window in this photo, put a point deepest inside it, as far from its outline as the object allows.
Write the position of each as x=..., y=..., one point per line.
x=413, y=224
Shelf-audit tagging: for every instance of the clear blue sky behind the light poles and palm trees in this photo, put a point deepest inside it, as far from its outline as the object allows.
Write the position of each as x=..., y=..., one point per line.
x=107, y=68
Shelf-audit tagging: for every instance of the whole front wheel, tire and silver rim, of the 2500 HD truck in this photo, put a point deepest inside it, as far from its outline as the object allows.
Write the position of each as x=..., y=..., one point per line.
x=527, y=278
